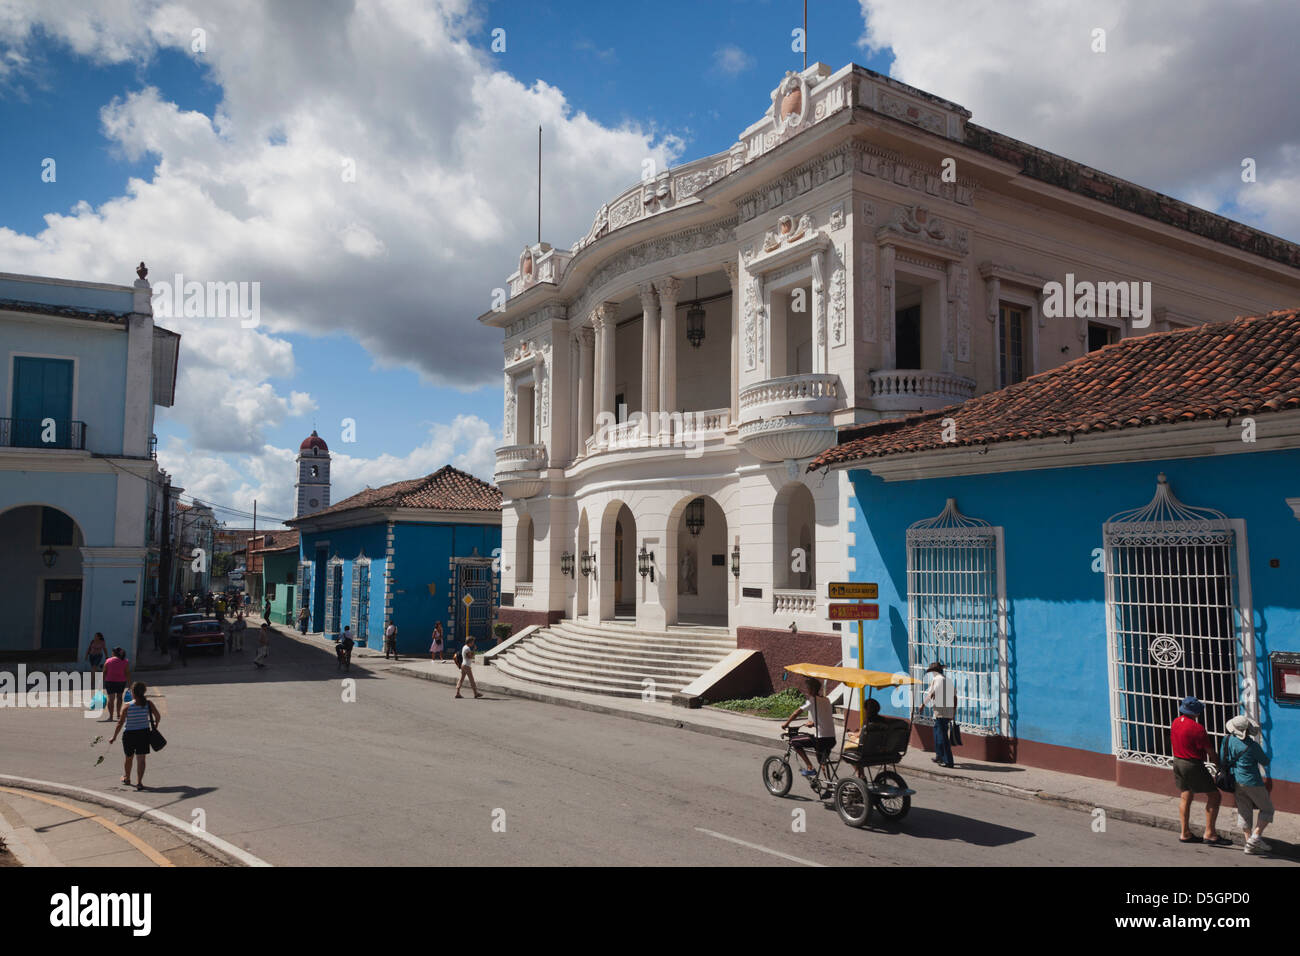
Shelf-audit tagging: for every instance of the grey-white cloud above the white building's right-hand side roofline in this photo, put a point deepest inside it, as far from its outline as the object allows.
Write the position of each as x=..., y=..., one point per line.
x=1185, y=90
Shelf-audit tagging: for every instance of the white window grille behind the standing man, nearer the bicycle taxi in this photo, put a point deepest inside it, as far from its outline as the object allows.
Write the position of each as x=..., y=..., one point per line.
x=956, y=616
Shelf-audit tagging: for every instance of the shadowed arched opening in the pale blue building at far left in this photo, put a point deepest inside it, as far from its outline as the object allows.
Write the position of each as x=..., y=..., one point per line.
x=41, y=566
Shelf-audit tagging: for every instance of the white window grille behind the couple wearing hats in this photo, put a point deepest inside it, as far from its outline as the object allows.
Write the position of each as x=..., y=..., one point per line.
x=1177, y=624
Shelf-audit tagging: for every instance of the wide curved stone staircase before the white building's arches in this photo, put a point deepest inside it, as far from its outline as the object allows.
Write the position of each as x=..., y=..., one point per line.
x=616, y=659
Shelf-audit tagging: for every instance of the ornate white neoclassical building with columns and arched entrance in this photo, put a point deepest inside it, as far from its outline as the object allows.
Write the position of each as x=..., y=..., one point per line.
x=863, y=252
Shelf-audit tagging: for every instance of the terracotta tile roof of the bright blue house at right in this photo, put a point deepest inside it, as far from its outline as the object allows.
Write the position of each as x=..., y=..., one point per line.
x=1225, y=370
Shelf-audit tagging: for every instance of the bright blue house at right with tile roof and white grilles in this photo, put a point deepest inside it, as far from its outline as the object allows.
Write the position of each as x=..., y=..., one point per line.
x=1091, y=546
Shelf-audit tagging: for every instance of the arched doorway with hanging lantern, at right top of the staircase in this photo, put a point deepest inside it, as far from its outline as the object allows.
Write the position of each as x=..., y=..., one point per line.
x=700, y=564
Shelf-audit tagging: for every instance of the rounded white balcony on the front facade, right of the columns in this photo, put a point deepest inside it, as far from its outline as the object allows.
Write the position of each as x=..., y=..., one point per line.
x=790, y=418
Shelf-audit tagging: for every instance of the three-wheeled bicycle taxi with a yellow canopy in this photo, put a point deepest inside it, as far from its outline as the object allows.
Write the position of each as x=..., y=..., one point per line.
x=878, y=750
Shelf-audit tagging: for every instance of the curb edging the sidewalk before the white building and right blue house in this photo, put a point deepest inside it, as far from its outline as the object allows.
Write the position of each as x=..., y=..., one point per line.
x=1069, y=803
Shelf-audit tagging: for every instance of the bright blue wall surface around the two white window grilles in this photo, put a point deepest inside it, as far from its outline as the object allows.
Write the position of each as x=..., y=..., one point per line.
x=1052, y=522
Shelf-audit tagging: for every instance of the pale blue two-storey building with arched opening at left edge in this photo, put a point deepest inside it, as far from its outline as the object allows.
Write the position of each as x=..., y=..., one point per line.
x=83, y=369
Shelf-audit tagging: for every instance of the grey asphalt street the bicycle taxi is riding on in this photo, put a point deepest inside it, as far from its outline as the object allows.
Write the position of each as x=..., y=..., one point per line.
x=301, y=768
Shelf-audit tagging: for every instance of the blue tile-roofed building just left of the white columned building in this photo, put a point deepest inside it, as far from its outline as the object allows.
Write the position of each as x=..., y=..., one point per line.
x=409, y=552
